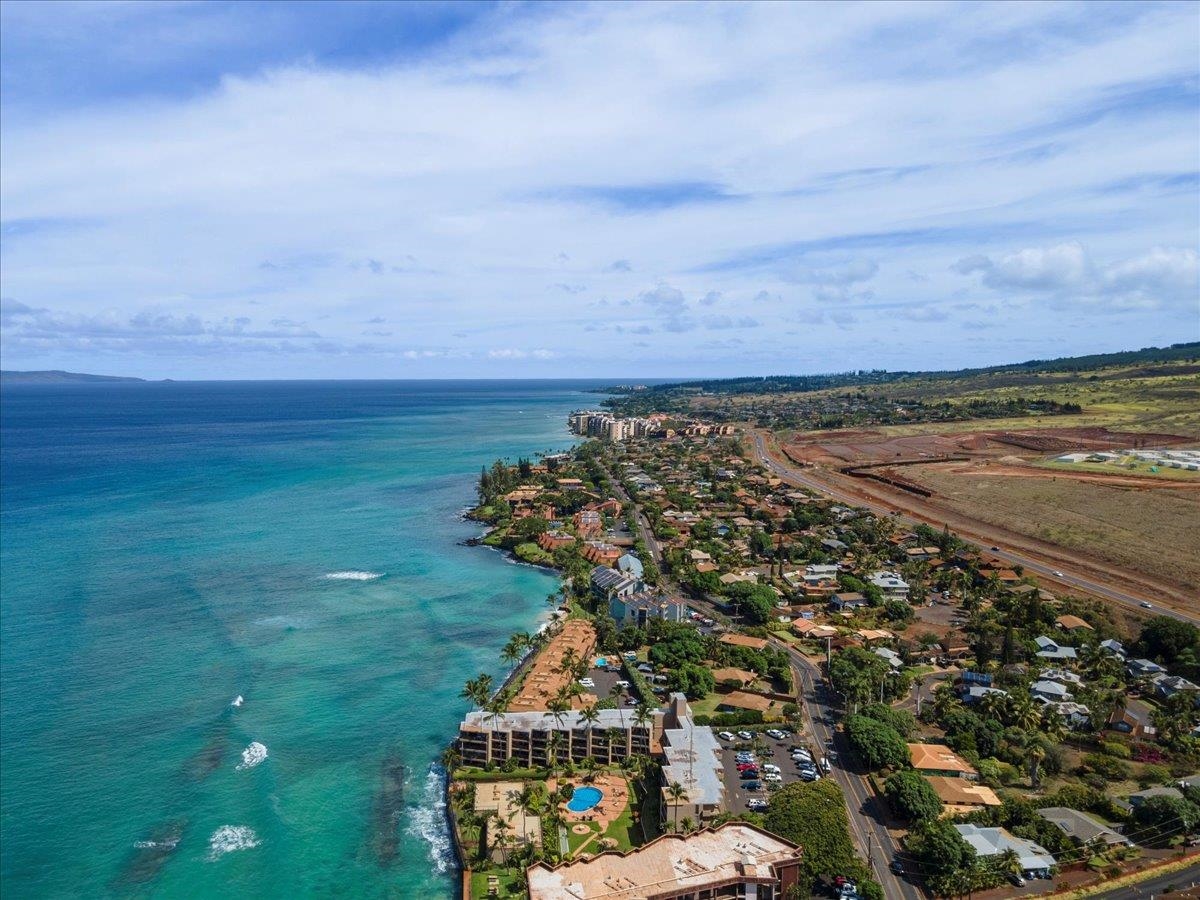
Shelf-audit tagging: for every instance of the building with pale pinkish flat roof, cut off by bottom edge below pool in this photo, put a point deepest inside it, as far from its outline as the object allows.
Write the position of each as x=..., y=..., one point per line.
x=734, y=861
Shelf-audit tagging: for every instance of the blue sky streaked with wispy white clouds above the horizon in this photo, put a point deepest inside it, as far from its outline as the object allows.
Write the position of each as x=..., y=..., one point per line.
x=359, y=190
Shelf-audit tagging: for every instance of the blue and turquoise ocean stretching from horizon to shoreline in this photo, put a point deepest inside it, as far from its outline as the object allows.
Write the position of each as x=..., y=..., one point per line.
x=166, y=549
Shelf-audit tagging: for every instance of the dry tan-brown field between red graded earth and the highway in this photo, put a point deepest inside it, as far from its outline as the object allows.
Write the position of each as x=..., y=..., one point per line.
x=1151, y=532
